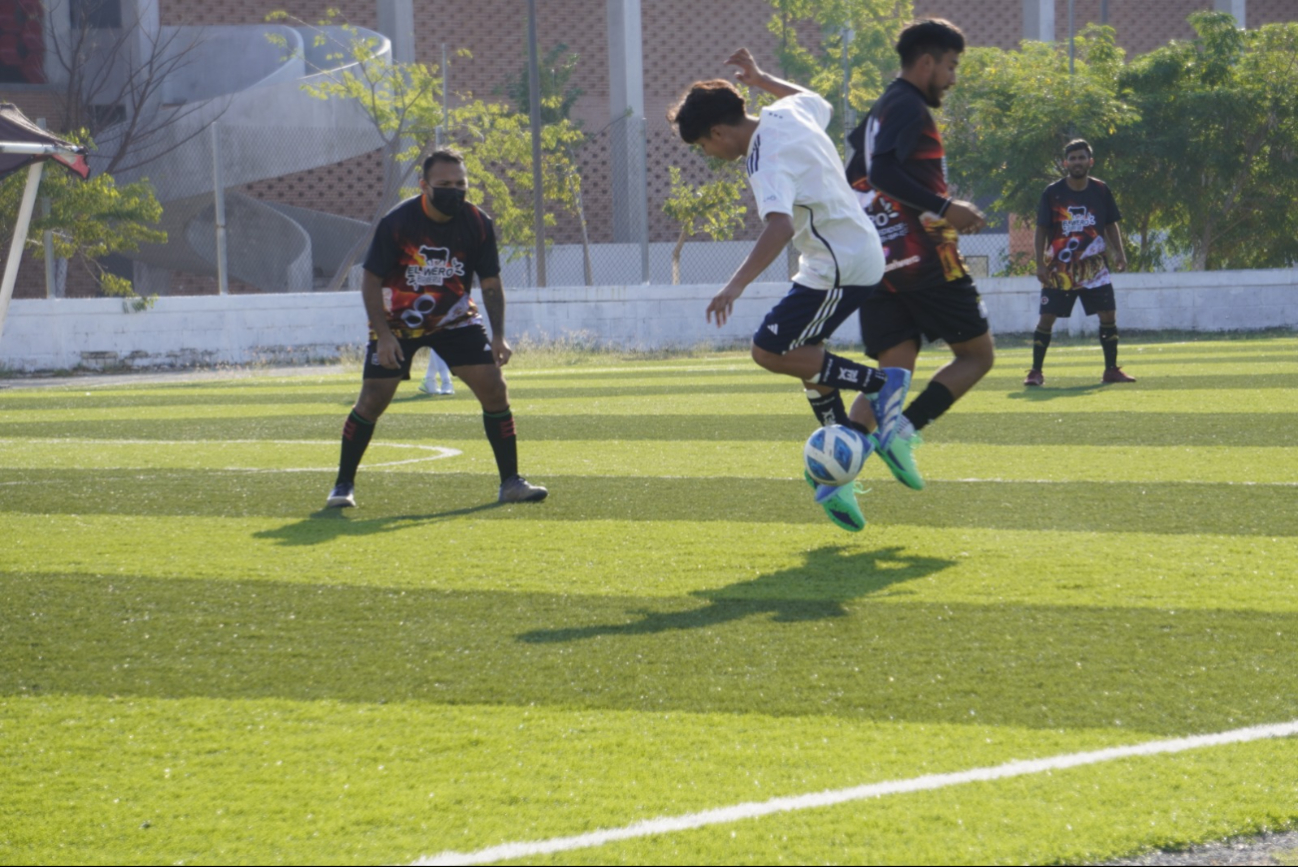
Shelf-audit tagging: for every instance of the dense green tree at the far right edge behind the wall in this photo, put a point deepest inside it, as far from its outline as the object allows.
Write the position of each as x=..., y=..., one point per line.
x=1212, y=160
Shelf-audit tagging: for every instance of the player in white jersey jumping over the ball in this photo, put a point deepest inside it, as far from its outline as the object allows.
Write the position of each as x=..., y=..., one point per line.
x=804, y=198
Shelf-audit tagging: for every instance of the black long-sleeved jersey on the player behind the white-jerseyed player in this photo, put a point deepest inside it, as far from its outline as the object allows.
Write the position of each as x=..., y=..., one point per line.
x=921, y=249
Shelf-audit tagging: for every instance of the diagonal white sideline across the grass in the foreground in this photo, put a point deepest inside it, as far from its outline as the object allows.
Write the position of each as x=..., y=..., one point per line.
x=756, y=809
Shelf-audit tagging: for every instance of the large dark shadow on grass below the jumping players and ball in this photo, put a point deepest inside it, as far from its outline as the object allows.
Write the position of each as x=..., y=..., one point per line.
x=814, y=591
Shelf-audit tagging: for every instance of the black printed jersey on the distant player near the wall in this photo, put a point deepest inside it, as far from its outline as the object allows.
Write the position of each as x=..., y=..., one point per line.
x=1077, y=221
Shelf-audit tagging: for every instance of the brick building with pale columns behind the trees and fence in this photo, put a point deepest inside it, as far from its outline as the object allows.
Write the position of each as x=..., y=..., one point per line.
x=677, y=41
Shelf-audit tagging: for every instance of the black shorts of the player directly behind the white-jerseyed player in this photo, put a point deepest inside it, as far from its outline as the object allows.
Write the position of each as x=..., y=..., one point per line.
x=952, y=312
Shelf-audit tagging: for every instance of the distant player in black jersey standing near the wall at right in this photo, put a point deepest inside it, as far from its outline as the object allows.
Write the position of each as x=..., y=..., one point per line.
x=1077, y=234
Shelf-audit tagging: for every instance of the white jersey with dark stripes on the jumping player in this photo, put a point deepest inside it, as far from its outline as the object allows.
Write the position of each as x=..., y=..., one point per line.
x=795, y=169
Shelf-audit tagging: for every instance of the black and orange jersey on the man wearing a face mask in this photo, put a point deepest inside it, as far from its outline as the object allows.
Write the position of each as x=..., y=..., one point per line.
x=428, y=268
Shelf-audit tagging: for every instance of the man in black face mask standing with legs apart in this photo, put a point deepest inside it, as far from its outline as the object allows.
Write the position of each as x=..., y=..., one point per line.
x=416, y=290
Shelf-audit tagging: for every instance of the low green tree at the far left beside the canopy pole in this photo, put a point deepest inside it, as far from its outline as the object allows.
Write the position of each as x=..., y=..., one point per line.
x=89, y=220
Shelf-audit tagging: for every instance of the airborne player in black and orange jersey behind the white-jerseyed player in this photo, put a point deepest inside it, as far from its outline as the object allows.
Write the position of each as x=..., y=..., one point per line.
x=899, y=169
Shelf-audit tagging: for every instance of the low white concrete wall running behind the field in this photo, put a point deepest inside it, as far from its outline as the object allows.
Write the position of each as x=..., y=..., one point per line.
x=58, y=334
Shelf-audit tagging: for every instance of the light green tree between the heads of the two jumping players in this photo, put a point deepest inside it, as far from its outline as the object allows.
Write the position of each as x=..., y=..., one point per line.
x=821, y=40
